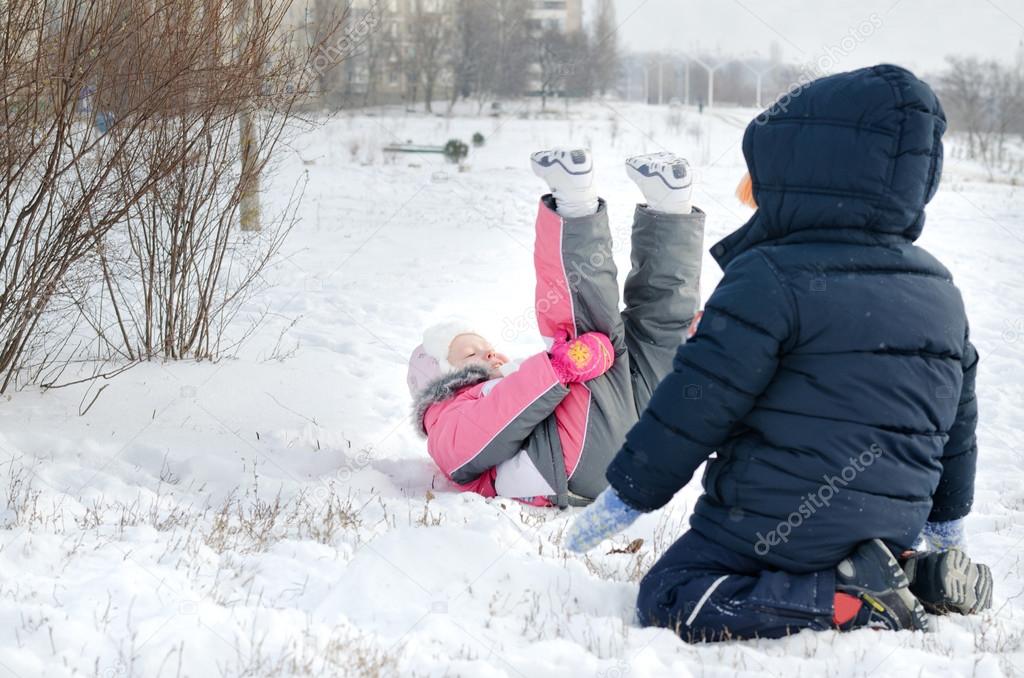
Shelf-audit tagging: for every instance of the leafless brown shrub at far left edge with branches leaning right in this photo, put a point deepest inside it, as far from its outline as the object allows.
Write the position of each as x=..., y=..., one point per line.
x=63, y=71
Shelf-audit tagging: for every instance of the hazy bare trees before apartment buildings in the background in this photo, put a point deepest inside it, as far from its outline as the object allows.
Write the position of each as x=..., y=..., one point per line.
x=479, y=51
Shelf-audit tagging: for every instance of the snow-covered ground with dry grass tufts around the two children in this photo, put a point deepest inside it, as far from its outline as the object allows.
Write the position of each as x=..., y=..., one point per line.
x=276, y=515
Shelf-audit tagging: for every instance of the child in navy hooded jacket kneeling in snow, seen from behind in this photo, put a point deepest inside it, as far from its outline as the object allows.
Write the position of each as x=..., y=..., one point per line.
x=833, y=374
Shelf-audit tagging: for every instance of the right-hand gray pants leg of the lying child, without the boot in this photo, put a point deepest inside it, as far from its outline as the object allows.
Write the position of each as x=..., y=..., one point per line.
x=662, y=293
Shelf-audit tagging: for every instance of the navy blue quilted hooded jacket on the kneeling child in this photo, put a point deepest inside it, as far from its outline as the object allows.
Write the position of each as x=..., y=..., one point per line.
x=832, y=371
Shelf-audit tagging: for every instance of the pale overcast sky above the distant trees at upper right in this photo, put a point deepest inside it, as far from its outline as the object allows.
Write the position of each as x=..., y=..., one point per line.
x=917, y=34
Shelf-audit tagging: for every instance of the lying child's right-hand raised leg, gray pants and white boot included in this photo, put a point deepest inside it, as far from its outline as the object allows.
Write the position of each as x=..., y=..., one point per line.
x=662, y=290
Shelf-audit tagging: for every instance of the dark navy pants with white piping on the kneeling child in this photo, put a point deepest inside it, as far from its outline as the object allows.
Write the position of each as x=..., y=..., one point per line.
x=707, y=592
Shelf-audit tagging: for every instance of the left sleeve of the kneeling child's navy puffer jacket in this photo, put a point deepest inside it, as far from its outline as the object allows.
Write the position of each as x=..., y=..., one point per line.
x=723, y=369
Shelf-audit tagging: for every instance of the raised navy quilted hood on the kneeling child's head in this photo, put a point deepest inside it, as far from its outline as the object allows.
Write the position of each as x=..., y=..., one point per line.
x=852, y=158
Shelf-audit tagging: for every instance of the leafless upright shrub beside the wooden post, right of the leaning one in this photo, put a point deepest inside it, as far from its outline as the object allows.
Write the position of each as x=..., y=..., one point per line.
x=176, y=273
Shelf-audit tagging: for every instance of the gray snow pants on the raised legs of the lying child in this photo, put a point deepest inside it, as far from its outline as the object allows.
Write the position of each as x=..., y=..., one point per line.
x=662, y=298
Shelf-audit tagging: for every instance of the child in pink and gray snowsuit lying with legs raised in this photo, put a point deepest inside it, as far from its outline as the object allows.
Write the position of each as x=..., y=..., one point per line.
x=544, y=432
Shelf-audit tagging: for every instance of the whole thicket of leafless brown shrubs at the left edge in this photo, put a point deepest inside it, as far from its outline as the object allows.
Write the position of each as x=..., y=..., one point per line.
x=120, y=132
